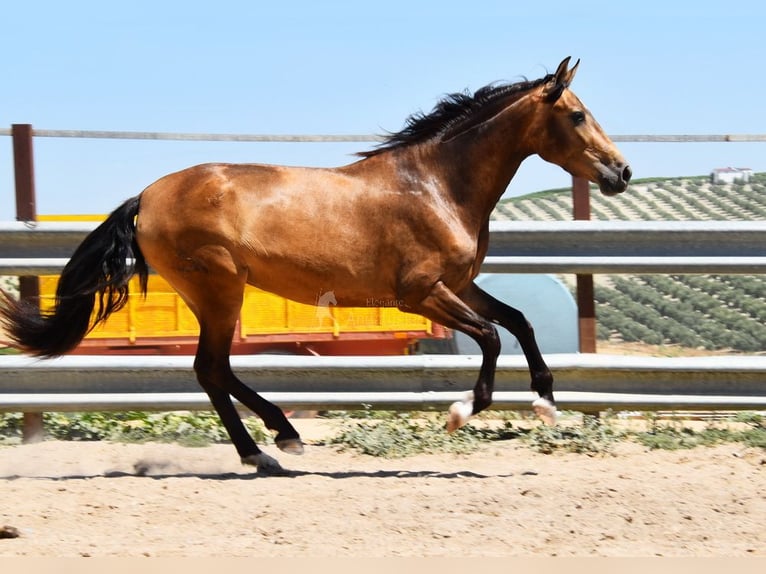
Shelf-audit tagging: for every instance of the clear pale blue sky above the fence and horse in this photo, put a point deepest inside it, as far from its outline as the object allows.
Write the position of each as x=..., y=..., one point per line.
x=650, y=67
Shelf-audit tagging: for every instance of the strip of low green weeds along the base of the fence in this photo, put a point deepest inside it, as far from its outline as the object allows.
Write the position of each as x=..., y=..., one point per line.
x=392, y=435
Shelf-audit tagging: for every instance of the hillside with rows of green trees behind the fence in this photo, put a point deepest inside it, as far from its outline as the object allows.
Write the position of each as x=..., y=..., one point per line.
x=712, y=312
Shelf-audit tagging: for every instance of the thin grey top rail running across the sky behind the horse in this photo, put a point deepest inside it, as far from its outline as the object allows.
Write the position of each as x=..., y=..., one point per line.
x=176, y=136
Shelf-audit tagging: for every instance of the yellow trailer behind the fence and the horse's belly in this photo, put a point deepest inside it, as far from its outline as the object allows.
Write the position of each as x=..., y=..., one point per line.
x=162, y=323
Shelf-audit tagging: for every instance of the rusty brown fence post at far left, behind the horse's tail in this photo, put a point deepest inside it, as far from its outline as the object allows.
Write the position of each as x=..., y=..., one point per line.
x=26, y=210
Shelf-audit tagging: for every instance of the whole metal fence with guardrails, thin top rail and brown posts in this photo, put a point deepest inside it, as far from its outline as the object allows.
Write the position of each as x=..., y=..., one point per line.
x=586, y=382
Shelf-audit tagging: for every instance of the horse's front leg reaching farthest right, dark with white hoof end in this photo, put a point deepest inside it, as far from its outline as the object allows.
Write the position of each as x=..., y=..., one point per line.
x=513, y=320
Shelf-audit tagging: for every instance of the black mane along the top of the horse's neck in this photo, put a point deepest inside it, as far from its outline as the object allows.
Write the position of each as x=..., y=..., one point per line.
x=455, y=113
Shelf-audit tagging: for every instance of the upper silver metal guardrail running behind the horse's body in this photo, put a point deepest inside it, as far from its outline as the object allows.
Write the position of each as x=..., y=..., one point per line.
x=583, y=247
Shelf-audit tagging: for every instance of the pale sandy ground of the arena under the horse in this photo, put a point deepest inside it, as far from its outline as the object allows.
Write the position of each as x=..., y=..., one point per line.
x=102, y=499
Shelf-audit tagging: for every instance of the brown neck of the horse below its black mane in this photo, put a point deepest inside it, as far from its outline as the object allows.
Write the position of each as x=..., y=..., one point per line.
x=480, y=162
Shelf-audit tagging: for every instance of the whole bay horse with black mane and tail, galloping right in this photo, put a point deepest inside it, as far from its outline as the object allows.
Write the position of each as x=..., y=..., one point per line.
x=408, y=222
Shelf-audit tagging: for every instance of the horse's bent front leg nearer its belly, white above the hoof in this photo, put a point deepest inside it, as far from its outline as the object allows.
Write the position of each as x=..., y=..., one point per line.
x=443, y=306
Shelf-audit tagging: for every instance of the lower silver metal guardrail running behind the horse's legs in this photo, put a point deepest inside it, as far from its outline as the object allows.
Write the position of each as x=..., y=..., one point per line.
x=583, y=382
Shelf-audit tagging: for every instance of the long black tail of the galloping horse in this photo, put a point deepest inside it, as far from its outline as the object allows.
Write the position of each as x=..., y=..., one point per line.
x=99, y=269
